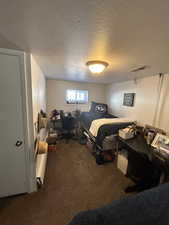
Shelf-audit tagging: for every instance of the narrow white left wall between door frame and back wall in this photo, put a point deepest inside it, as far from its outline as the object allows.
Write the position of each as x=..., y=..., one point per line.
x=38, y=89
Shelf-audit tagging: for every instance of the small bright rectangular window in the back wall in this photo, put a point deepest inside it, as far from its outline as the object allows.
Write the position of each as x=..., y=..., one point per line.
x=76, y=96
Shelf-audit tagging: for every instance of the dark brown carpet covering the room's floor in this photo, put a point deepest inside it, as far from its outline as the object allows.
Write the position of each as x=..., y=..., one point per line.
x=73, y=182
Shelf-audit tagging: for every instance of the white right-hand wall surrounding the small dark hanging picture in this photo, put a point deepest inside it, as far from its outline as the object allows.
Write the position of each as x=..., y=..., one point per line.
x=146, y=90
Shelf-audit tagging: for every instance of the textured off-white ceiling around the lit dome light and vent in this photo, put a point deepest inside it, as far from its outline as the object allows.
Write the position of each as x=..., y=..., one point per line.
x=64, y=34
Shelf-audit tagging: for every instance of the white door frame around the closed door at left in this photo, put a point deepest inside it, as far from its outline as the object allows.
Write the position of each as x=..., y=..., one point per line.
x=27, y=113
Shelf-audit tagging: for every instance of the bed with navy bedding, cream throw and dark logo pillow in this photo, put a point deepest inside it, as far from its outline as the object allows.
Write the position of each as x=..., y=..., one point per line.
x=99, y=113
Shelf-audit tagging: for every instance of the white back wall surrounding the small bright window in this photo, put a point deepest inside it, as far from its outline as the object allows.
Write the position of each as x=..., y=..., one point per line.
x=56, y=93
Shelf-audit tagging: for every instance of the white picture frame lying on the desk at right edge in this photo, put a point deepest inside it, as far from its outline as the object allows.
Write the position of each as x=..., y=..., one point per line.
x=160, y=140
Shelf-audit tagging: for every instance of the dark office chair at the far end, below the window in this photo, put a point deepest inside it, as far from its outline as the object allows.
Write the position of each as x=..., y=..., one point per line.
x=68, y=126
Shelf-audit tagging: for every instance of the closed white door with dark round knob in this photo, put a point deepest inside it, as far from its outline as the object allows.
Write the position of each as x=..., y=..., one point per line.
x=12, y=154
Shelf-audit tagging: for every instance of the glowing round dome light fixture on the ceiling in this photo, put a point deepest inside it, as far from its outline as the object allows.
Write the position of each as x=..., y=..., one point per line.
x=97, y=66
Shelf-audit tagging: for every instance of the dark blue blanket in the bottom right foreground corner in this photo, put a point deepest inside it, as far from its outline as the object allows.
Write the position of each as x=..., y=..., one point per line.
x=147, y=208
